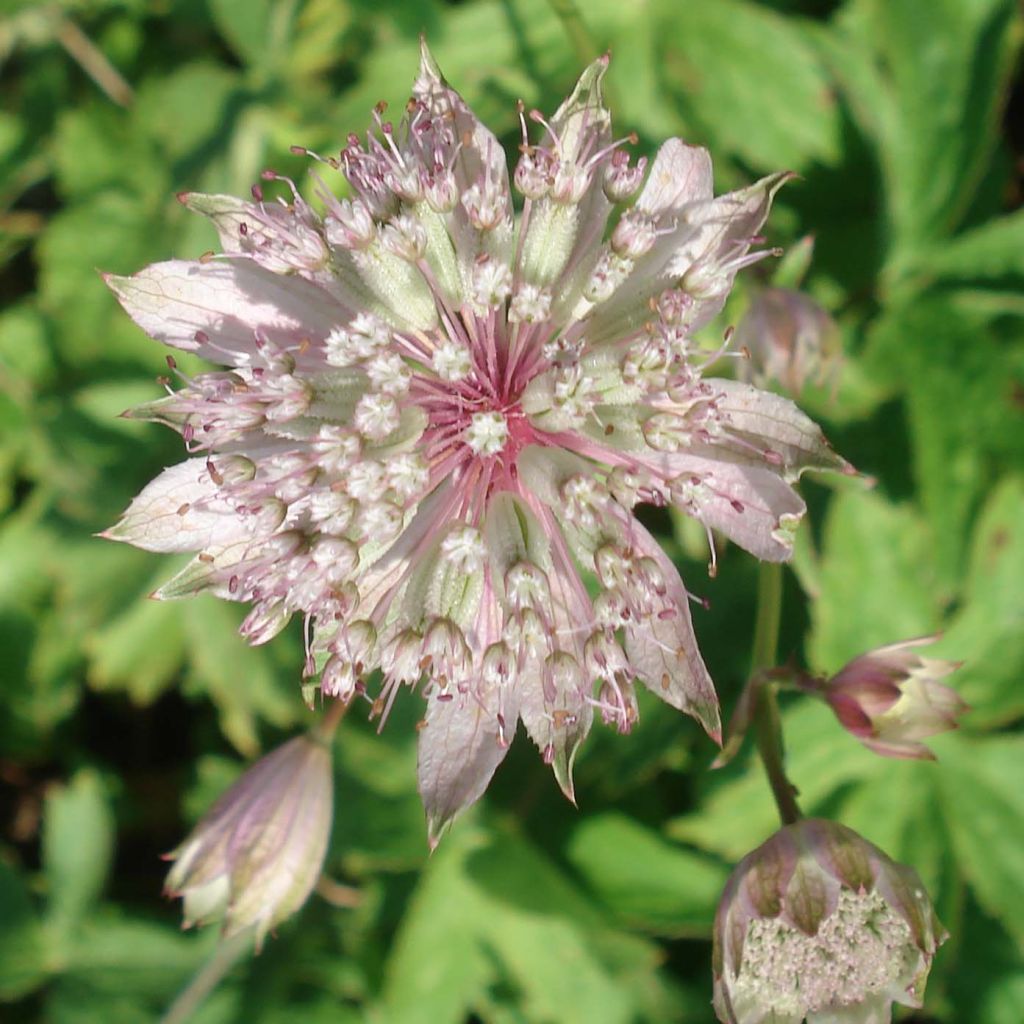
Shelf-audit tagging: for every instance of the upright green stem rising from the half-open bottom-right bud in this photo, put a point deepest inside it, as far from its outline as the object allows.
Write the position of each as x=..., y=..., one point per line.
x=767, y=727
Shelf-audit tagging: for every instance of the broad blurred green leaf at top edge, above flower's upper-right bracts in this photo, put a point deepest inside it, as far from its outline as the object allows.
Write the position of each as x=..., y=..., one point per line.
x=751, y=82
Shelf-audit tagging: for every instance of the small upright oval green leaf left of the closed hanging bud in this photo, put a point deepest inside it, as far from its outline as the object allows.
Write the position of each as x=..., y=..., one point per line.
x=78, y=845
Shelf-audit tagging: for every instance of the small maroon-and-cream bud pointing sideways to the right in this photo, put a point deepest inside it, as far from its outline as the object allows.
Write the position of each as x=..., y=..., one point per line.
x=891, y=699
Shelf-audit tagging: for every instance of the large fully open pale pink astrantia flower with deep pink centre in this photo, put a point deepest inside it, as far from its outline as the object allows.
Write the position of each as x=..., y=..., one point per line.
x=439, y=415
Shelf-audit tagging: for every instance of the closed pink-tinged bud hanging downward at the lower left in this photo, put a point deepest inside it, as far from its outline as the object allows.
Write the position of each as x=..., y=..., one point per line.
x=257, y=856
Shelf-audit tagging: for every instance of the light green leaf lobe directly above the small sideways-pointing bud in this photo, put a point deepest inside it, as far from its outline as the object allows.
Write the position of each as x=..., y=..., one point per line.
x=877, y=585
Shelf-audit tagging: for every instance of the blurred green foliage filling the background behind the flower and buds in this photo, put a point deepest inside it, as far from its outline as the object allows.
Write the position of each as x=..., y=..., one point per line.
x=121, y=719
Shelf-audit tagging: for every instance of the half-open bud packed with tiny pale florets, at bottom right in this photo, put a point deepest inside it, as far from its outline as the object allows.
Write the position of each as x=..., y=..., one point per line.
x=820, y=925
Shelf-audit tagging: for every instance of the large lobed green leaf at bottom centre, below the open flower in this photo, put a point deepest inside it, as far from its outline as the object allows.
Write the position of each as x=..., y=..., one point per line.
x=497, y=908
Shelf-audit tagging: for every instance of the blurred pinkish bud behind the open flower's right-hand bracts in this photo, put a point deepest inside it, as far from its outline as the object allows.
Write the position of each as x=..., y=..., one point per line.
x=791, y=340
